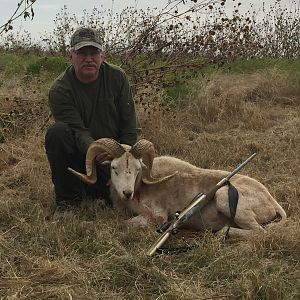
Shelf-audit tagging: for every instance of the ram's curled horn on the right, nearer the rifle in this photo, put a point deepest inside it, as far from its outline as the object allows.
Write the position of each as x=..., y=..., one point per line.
x=145, y=149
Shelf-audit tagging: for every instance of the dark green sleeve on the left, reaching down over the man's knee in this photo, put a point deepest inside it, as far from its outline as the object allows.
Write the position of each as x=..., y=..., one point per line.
x=63, y=110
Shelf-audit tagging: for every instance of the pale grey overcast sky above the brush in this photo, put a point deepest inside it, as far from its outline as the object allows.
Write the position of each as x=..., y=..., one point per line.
x=46, y=10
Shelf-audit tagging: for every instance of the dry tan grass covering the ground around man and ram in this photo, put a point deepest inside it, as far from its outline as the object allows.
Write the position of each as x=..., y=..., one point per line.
x=89, y=256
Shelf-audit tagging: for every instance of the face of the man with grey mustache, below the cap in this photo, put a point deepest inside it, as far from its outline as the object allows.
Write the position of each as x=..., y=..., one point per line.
x=86, y=62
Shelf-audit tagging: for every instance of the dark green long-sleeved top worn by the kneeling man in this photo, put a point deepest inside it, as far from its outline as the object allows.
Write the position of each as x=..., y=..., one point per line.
x=103, y=108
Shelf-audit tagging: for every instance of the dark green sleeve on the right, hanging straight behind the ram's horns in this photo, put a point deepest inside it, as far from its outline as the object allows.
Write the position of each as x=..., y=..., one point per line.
x=129, y=124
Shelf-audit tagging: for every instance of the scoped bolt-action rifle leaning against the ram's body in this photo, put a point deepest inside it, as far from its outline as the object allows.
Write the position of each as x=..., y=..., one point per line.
x=199, y=201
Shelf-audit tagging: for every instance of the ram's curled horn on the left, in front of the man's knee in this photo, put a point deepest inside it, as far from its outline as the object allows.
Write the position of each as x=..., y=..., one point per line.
x=104, y=149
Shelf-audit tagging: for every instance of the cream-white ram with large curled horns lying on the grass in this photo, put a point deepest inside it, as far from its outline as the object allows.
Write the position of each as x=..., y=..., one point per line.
x=154, y=188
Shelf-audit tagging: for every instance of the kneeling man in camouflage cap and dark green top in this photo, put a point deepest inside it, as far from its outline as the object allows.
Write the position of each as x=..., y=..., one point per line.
x=91, y=99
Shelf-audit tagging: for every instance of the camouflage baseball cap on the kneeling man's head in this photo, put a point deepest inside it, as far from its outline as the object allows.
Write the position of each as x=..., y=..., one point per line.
x=86, y=37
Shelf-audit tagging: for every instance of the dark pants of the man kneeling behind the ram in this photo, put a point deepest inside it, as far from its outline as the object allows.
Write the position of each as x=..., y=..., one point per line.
x=62, y=153
